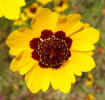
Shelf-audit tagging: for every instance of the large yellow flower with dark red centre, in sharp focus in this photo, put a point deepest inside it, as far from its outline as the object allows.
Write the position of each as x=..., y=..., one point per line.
x=53, y=51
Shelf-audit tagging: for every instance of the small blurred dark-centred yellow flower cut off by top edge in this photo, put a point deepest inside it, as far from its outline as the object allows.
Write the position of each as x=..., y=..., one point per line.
x=60, y=5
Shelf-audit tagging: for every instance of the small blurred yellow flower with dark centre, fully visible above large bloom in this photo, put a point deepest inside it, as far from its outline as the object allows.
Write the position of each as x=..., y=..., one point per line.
x=32, y=10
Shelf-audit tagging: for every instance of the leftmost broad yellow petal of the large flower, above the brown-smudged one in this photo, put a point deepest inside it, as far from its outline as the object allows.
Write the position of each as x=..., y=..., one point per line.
x=19, y=40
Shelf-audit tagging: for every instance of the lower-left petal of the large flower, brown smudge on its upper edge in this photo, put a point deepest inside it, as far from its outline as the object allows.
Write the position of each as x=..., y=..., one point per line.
x=23, y=62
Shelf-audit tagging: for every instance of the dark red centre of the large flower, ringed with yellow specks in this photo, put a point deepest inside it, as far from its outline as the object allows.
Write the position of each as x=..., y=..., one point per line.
x=51, y=50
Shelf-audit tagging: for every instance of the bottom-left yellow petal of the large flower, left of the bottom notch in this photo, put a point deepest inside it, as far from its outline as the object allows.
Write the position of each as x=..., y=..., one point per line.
x=38, y=78
